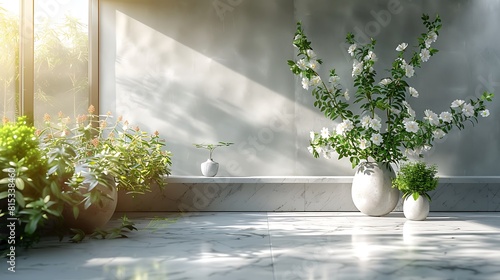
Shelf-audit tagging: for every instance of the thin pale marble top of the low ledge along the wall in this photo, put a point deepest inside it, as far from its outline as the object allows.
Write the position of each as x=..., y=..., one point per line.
x=312, y=180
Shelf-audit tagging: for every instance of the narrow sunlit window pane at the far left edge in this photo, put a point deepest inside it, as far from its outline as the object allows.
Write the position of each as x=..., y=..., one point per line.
x=9, y=57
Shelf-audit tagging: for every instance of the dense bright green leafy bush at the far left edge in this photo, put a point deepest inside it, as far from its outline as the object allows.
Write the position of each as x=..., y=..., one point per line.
x=27, y=194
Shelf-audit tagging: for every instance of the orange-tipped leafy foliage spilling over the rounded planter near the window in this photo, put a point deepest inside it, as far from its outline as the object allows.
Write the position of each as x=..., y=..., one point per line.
x=103, y=145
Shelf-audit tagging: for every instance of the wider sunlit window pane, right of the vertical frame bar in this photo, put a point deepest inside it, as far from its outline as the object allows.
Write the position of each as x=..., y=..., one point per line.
x=61, y=57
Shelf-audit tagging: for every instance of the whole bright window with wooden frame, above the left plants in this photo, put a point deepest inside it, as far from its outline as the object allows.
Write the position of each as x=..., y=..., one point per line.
x=54, y=53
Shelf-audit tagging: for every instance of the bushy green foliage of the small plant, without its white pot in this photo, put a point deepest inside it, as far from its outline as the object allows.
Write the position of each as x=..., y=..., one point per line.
x=416, y=179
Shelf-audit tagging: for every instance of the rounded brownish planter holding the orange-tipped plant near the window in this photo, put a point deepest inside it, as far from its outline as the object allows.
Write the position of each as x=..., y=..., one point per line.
x=97, y=215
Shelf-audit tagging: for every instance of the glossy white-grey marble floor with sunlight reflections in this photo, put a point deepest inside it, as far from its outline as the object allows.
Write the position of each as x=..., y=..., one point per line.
x=275, y=246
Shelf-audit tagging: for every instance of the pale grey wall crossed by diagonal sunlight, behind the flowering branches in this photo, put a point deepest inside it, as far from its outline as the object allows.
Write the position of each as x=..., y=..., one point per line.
x=215, y=70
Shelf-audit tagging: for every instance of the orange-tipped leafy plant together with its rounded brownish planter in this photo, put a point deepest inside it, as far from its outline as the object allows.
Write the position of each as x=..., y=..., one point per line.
x=100, y=155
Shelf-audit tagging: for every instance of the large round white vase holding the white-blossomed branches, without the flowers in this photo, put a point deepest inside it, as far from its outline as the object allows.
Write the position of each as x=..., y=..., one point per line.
x=372, y=191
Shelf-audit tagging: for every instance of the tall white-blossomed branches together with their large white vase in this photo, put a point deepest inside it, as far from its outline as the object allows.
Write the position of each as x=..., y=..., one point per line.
x=378, y=126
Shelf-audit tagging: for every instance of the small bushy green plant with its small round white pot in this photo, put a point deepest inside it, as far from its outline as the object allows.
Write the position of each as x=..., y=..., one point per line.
x=415, y=180
